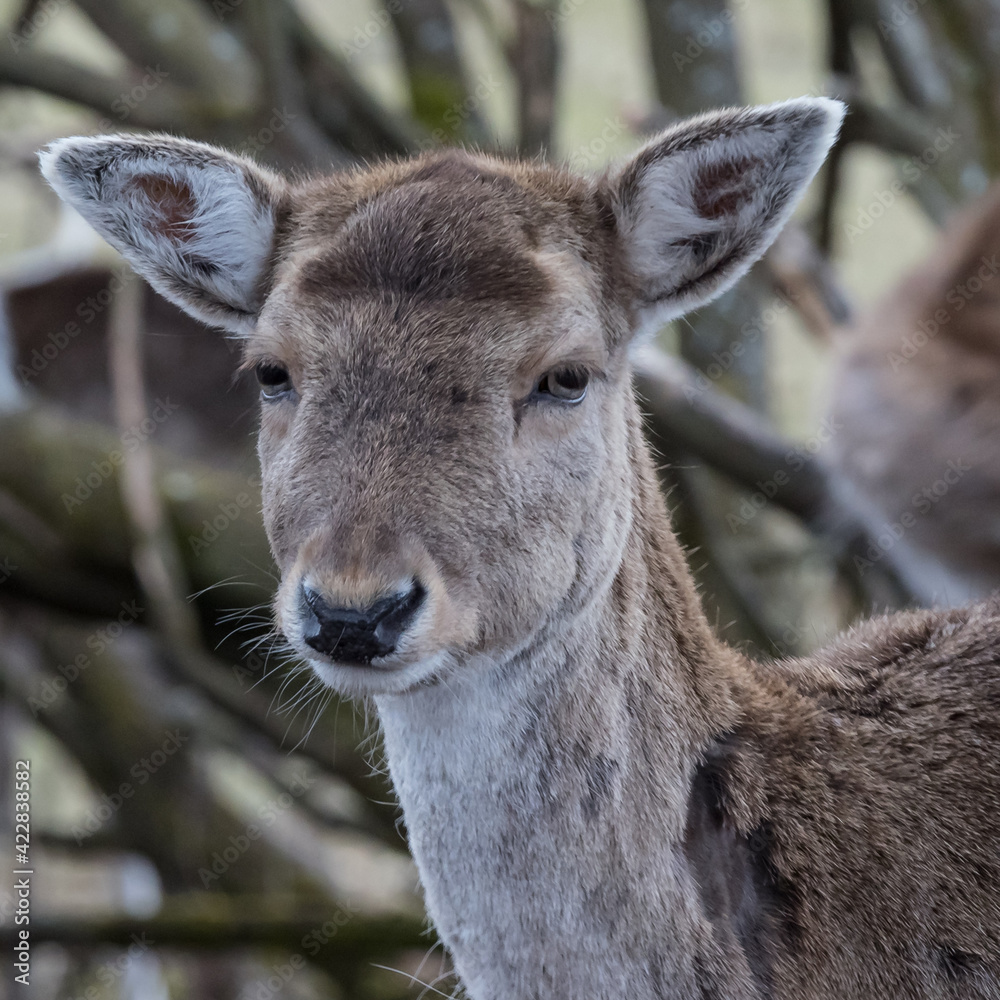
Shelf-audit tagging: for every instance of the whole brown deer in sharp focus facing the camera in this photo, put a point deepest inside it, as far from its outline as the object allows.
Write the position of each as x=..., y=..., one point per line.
x=603, y=799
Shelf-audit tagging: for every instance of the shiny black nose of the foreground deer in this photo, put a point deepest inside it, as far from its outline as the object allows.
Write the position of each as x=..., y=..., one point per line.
x=358, y=635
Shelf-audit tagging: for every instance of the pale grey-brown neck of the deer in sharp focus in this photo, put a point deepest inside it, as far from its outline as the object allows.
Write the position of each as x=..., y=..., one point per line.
x=545, y=794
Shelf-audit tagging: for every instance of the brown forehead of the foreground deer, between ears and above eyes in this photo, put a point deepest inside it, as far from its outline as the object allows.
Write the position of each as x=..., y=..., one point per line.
x=450, y=266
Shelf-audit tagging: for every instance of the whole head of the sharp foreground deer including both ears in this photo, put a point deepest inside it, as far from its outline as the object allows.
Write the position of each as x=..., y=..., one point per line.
x=447, y=425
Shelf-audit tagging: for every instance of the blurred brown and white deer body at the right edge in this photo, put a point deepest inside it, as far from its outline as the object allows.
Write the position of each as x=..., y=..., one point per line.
x=916, y=393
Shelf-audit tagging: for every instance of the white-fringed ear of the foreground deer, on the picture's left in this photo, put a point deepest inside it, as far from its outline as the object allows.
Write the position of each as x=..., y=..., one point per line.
x=197, y=222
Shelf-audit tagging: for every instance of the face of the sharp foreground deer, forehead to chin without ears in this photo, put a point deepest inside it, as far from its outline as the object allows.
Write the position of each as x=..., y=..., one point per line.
x=442, y=403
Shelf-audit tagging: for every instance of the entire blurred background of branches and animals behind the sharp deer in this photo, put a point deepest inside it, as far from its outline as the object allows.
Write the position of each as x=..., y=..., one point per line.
x=204, y=822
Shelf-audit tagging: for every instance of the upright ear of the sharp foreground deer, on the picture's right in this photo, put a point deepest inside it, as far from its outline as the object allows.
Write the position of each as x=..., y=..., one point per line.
x=700, y=203
